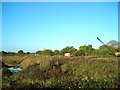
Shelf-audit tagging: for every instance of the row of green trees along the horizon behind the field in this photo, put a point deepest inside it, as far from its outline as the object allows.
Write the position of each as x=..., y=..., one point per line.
x=85, y=50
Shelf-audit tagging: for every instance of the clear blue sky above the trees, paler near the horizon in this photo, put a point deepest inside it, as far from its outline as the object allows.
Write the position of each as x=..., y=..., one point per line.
x=36, y=26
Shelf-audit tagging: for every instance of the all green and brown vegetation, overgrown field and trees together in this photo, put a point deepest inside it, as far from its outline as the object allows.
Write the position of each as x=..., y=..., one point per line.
x=89, y=68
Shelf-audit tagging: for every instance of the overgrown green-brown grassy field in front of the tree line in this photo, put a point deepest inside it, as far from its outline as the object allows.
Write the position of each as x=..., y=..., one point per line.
x=62, y=72
